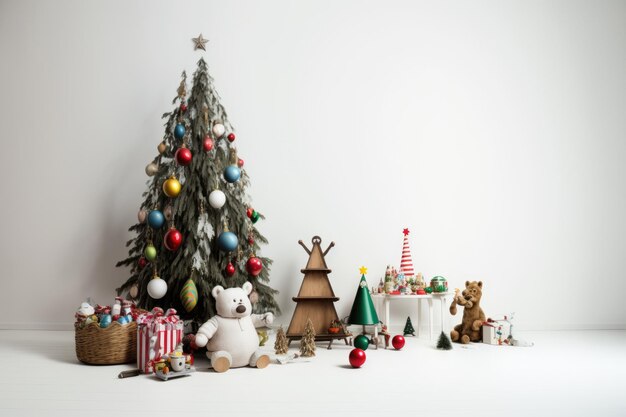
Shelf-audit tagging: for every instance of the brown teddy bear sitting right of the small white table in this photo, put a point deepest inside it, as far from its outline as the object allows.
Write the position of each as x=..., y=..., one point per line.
x=473, y=316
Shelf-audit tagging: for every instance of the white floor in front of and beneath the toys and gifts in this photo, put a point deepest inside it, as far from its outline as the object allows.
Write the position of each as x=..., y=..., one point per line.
x=565, y=373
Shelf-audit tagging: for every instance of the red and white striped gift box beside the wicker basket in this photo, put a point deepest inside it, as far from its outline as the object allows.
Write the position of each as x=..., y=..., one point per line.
x=157, y=335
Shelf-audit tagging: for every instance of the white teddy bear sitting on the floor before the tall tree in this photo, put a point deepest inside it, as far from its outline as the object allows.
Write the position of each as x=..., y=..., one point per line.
x=230, y=336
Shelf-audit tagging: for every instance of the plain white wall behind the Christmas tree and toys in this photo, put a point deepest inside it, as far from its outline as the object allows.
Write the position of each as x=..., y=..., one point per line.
x=494, y=130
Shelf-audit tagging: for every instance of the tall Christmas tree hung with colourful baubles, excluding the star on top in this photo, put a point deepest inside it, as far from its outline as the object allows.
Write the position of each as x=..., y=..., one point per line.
x=196, y=225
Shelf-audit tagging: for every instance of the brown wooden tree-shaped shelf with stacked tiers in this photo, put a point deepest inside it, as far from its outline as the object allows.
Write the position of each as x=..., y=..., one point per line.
x=316, y=299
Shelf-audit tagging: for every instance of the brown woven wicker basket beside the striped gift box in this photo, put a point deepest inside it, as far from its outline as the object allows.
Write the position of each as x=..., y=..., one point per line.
x=112, y=345
